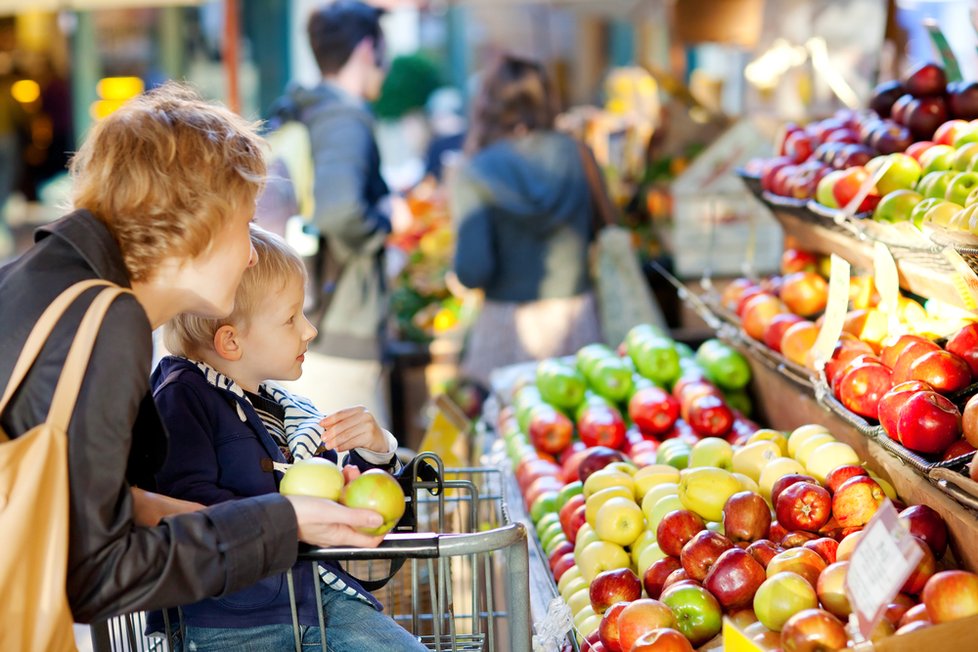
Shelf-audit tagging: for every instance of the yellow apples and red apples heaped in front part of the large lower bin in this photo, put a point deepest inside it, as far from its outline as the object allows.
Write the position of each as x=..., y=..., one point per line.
x=761, y=531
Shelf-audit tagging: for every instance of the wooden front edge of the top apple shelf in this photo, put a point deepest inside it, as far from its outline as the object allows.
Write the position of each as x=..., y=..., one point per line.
x=926, y=274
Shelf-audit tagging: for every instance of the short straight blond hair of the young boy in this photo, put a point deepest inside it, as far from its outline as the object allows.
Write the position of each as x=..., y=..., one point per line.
x=278, y=265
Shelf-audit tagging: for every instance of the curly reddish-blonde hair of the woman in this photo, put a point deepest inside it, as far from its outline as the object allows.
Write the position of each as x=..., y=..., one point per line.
x=165, y=172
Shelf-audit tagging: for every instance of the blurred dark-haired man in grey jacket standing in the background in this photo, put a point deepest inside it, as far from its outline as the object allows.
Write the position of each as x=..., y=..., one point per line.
x=354, y=209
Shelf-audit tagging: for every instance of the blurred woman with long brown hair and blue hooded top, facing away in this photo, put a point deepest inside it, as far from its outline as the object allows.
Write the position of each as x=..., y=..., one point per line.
x=525, y=220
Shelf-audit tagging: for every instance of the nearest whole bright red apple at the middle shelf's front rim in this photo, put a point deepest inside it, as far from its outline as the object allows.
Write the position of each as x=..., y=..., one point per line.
x=928, y=423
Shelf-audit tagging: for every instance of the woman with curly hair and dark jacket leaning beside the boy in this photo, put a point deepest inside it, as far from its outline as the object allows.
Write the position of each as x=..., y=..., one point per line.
x=164, y=190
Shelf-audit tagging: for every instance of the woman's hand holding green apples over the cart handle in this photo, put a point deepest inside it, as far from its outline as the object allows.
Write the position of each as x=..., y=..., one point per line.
x=324, y=523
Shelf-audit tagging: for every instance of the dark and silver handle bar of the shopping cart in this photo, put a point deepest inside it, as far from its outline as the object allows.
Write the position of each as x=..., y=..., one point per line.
x=423, y=545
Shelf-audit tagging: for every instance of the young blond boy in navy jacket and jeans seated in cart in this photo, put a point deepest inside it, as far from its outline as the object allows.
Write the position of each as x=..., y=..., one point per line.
x=227, y=421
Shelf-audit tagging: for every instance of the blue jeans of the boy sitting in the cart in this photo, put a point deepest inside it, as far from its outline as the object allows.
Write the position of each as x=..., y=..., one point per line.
x=351, y=626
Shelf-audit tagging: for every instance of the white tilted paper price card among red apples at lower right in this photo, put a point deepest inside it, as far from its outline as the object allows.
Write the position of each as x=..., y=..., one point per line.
x=881, y=562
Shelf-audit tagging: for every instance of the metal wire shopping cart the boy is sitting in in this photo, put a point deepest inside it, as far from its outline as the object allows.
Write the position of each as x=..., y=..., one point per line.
x=463, y=586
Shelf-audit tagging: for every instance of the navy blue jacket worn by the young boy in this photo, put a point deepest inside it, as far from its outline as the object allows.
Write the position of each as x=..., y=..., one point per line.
x=215, y=456
